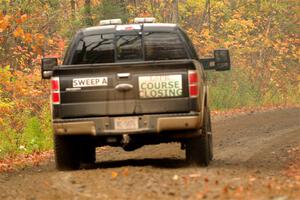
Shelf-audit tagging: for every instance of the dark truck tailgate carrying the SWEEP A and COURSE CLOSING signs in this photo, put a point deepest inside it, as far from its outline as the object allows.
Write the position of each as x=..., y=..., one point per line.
x=124, y=89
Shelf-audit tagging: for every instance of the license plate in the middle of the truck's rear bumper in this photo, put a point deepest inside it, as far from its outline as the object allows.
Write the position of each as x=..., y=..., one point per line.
x=126, y=123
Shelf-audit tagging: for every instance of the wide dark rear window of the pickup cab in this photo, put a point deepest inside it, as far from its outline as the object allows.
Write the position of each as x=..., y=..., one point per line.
x=110, y=48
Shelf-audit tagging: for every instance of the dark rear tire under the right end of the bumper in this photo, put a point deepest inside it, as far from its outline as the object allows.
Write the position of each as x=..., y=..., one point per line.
x=198, y=149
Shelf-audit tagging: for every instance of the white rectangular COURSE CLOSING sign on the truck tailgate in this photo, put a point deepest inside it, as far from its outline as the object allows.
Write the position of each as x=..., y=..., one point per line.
x=160, y=86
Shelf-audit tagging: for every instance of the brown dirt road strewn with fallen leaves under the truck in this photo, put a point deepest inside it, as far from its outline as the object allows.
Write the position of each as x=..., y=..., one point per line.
x=251, y=153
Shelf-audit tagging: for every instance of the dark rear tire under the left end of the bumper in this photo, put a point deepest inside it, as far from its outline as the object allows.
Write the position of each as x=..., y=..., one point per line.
x=66, y=152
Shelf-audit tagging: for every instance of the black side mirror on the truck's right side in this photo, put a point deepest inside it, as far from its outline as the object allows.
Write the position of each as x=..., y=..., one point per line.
x=222, y=60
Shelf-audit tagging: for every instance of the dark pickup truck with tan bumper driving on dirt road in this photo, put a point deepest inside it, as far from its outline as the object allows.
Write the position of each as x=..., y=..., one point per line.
x=129, y=85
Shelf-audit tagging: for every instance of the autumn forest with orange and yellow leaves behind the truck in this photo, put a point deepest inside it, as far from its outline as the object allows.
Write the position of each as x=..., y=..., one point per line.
x=262, y=35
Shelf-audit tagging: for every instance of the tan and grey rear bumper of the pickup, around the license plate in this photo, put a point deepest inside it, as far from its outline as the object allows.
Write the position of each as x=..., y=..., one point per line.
x=146, y=124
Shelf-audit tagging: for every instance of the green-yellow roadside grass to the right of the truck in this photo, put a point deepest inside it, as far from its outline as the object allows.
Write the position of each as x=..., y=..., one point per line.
x=234, y=89
